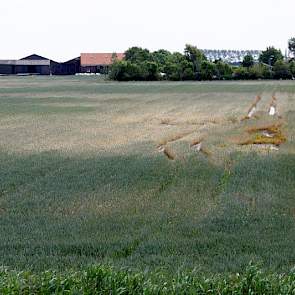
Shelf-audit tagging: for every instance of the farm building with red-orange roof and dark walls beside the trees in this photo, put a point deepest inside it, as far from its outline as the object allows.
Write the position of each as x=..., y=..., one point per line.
x=98, y=62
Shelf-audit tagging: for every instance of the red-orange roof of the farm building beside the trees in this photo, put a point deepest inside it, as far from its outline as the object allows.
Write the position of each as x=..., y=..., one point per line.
x=95, y=59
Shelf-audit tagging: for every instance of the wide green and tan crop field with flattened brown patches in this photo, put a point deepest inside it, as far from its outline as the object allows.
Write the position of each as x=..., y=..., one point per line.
x=95, y=172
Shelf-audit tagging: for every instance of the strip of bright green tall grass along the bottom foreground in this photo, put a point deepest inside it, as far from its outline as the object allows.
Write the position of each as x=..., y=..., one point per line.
x=103, y=280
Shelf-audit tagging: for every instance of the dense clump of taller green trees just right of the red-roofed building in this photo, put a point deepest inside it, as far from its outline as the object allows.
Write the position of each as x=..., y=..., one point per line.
x=143, y=65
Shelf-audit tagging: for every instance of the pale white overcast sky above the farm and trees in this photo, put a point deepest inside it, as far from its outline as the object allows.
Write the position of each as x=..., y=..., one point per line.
x=62, y=29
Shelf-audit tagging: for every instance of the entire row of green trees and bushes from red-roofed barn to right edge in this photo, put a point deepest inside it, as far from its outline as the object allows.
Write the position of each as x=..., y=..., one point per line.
x=140, y=64
